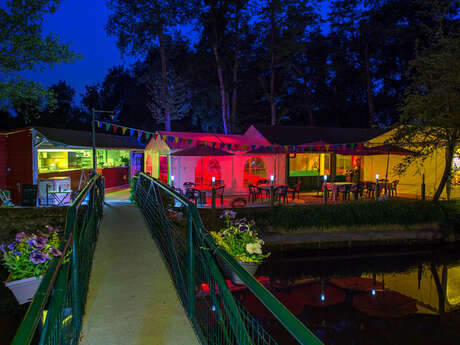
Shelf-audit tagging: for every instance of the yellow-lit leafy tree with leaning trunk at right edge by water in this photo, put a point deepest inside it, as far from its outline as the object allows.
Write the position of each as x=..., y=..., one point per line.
x=430, y=113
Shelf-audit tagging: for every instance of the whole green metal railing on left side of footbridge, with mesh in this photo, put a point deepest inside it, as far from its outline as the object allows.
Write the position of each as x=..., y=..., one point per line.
x=60, y=300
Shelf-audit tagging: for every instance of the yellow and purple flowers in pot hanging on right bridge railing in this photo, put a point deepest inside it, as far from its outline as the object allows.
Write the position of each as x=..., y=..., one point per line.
x=240, y=240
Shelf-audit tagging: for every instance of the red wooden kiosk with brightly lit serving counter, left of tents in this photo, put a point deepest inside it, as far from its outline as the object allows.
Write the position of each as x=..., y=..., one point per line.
x=36, y=154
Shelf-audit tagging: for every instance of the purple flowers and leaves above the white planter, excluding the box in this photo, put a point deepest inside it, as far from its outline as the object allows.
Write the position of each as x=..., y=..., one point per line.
x=30, y=255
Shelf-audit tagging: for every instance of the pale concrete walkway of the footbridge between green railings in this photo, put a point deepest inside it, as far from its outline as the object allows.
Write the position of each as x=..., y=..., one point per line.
x=131, y=299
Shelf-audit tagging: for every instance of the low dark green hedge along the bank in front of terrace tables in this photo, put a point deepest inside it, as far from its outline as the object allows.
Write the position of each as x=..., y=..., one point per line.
x=365, y=213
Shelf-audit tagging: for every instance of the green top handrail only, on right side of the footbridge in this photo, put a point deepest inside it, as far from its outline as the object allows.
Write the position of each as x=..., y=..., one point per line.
x=296, y=328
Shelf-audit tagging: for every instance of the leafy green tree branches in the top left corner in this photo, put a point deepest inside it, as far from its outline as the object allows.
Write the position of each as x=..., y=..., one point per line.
x=23, y=47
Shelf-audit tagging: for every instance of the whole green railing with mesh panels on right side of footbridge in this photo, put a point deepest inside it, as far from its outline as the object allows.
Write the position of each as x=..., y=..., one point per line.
x=191, y=256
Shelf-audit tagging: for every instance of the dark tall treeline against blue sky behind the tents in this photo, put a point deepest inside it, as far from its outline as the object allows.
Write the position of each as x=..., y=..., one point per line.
x=341, y=63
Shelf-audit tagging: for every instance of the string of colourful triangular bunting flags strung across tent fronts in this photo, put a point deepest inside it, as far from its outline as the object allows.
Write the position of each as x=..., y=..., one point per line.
x=338, y=148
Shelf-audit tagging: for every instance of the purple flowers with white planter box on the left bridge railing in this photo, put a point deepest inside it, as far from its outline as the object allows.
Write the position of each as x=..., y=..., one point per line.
x=26, y=259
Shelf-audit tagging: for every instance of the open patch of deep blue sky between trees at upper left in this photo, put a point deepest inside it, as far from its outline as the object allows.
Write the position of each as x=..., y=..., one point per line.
x=81, y=23
